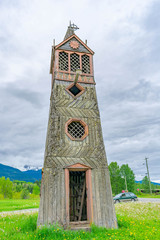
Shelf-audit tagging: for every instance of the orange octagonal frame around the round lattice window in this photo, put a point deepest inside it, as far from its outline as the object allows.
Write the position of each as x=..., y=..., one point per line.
x=83, y=124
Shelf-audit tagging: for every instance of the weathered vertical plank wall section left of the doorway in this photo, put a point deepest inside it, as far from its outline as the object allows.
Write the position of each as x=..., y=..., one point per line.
x=52, y=202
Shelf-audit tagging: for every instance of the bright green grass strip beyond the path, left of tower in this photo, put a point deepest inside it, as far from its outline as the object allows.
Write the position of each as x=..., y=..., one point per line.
x=18, y=204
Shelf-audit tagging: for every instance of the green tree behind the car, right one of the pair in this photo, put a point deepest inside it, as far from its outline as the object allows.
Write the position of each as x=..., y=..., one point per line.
x=127, y=173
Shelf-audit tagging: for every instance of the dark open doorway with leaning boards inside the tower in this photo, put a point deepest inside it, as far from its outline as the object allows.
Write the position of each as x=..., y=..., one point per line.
x=78, y=198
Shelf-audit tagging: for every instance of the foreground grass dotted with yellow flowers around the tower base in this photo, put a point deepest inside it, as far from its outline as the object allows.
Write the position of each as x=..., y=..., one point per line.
x=136, y=220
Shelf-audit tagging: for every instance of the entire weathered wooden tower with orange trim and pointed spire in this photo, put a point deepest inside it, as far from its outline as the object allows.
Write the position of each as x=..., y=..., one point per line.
x=75, y=189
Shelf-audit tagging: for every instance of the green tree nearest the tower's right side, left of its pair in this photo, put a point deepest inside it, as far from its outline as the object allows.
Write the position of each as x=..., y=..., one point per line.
x=117, y=182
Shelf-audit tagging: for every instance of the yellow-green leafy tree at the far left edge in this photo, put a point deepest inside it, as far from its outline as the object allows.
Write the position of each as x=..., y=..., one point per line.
x=6, y=187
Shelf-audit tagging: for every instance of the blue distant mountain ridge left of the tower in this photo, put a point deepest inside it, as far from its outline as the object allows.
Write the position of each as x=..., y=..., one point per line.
x=16, y=174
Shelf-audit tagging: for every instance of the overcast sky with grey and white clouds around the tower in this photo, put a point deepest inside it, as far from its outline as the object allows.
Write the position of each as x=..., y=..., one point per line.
x=125, y=36
